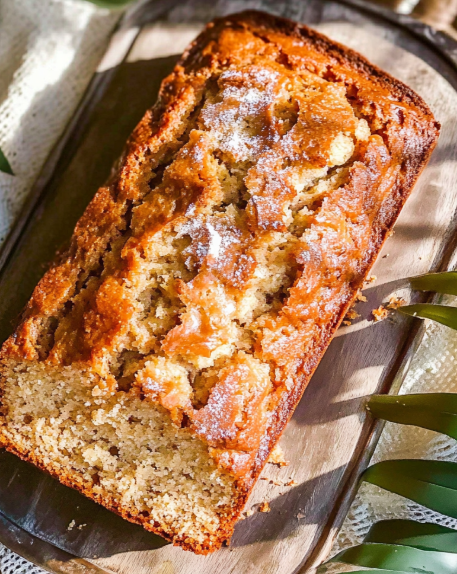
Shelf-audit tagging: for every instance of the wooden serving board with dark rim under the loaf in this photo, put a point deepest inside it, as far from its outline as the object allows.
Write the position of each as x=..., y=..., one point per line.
x=330, y=437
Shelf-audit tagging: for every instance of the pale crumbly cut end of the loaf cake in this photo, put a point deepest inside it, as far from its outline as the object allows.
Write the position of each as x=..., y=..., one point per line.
x=124, y=453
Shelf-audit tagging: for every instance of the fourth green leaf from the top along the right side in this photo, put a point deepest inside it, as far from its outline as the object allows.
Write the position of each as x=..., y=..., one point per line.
x=432, y=483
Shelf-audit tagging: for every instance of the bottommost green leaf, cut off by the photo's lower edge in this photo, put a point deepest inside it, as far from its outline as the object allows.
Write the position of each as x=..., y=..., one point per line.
x=398, y=558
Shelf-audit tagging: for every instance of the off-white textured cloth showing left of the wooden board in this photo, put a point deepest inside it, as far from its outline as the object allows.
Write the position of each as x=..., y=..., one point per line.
x=49, y=50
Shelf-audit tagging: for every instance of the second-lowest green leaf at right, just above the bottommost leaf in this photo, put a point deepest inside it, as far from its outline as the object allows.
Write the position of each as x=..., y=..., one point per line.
x=424, y=536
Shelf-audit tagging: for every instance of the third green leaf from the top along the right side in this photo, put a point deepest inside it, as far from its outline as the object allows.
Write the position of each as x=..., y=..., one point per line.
x=434, y=411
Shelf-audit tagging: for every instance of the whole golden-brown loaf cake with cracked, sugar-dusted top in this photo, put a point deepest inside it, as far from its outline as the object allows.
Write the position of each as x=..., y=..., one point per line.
x=159, y=360
